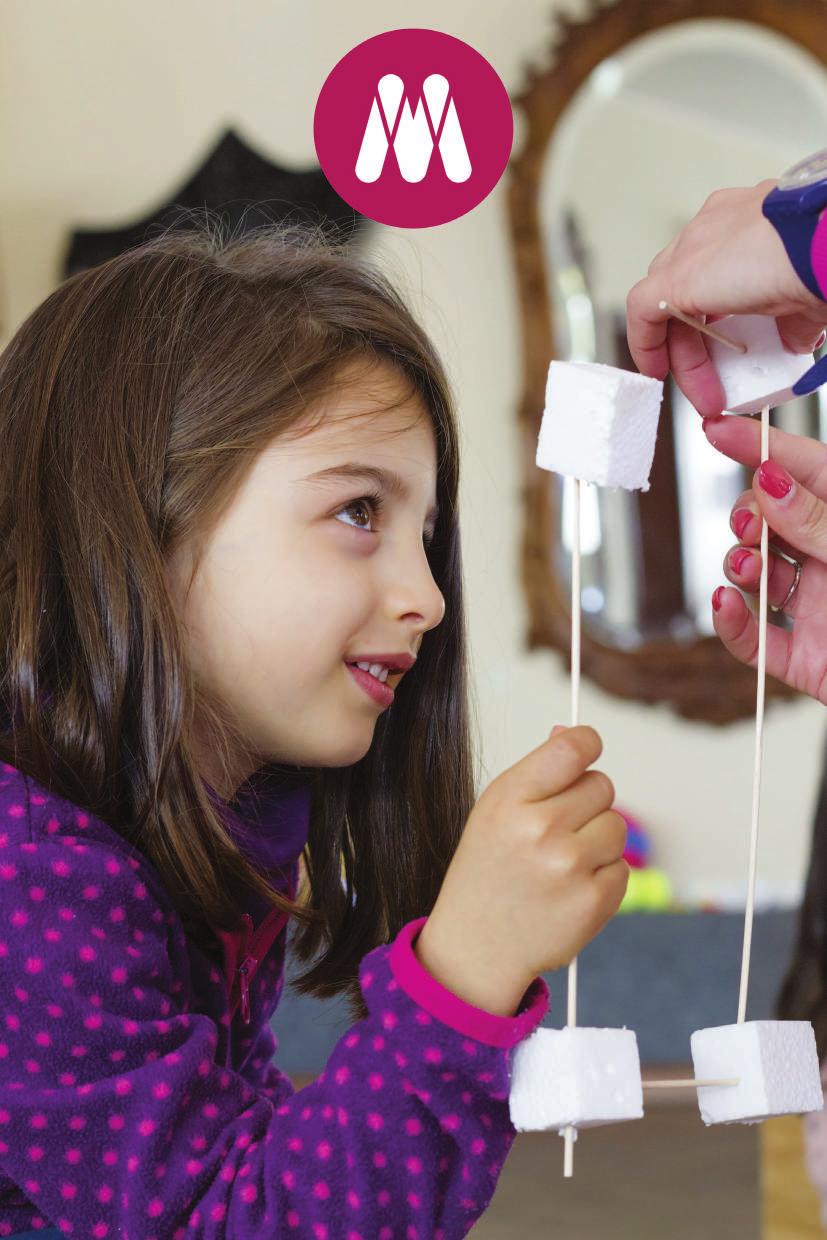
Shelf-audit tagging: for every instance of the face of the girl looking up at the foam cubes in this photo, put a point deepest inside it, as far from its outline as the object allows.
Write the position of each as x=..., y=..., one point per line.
x=303, y=576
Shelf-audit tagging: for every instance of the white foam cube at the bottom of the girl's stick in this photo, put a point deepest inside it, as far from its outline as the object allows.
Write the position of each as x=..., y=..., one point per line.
x=576, y=1077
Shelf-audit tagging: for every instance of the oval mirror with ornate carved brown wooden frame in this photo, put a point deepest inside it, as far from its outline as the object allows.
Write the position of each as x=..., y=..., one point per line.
x=647, y=110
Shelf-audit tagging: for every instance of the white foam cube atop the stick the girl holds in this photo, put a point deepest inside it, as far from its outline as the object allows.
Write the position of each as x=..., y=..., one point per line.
x=599, y=425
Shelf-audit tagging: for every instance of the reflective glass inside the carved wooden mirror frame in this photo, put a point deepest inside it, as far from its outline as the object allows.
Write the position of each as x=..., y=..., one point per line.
x=654, y=131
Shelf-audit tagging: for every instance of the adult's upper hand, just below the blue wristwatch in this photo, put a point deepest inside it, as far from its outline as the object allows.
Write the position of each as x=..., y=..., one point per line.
x=728, y=260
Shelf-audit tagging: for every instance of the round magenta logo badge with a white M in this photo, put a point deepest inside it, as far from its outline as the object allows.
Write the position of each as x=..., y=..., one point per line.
x=413, y=128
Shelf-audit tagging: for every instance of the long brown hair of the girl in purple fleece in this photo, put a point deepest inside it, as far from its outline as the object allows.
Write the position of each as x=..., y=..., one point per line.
x=133, y=401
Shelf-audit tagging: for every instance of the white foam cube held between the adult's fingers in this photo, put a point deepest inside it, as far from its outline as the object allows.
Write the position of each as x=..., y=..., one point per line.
x=766, y=374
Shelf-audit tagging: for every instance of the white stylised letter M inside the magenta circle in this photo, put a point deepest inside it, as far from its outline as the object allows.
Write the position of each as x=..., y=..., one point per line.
x=413, y=143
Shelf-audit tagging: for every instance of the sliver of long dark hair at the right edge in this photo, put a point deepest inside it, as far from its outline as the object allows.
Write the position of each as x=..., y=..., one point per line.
x=804, y=991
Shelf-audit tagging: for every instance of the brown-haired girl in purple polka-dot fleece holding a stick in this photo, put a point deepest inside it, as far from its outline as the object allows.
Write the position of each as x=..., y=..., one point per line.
x=229, y=477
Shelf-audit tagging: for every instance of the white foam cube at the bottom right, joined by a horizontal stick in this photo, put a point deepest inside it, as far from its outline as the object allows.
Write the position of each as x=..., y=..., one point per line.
x=777, y=1065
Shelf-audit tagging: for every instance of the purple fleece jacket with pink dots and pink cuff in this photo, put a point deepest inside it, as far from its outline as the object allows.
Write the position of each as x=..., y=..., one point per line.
x=138, y=1093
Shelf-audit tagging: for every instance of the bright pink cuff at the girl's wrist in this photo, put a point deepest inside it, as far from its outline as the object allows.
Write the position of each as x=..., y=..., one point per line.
x=474, y=1022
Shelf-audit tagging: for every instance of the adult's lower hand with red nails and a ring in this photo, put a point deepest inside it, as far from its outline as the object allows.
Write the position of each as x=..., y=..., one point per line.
x=790, y=492
